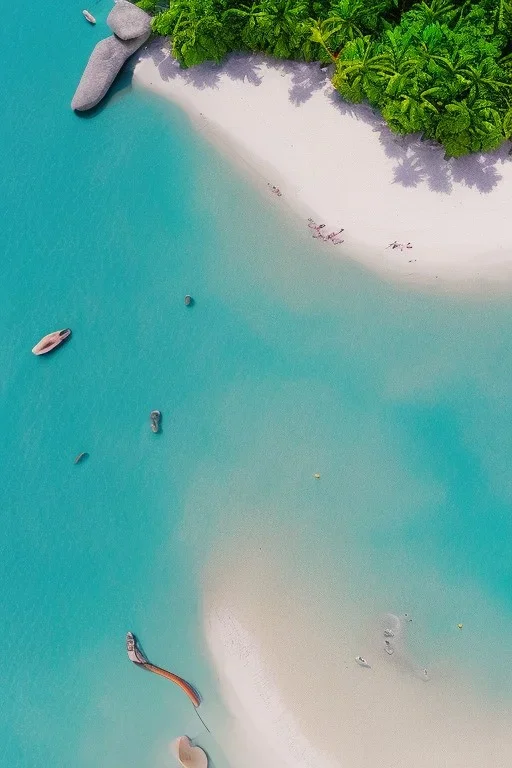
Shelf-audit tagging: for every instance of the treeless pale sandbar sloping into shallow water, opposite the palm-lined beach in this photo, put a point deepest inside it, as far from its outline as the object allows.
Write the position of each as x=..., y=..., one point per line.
x=298, y=699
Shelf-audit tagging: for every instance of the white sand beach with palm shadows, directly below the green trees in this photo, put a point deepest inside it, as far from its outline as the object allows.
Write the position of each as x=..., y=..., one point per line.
x=339, y=164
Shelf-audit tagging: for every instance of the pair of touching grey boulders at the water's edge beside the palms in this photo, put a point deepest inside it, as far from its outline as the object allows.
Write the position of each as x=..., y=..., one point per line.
x=131, y=27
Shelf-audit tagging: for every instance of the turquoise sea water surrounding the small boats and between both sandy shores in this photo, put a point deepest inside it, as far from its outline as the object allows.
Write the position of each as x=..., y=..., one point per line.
x=290, y=362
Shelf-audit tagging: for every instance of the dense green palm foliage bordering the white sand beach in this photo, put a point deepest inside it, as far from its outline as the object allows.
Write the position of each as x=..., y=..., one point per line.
x=442, y=68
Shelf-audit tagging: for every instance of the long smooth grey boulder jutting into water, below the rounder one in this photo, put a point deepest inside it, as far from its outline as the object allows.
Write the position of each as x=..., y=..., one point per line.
x=105, y=61
